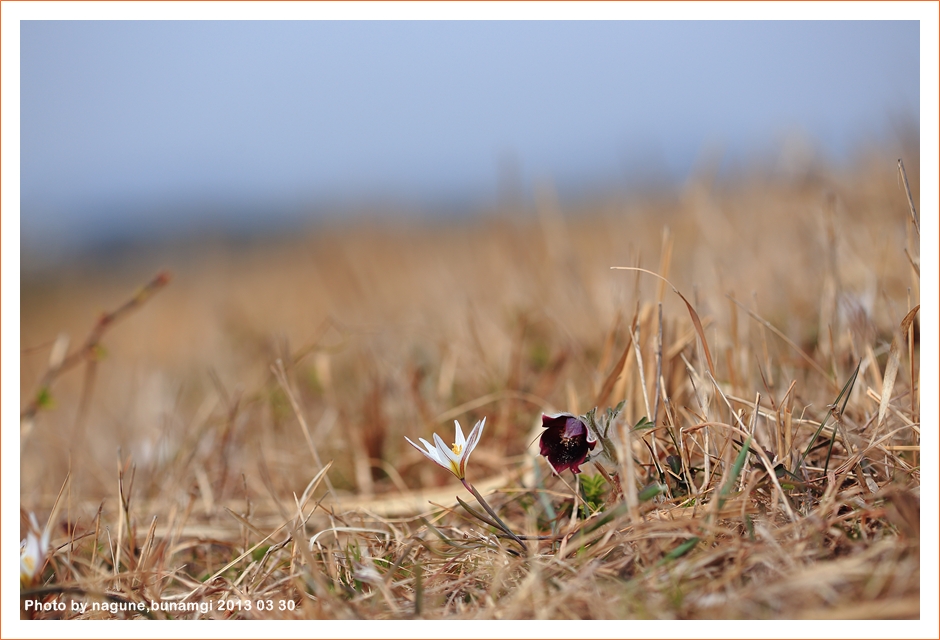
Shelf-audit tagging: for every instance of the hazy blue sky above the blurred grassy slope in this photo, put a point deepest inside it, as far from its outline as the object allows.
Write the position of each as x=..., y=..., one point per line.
x=137, y=127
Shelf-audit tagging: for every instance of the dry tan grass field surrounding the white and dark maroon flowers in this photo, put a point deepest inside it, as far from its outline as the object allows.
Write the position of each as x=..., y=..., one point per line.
x=231, y=444
